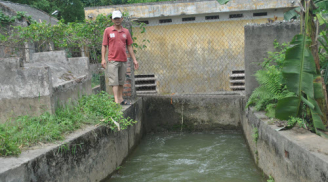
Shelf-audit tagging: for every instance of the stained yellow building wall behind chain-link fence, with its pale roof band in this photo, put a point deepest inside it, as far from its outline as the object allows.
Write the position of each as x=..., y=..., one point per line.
x=194, y=45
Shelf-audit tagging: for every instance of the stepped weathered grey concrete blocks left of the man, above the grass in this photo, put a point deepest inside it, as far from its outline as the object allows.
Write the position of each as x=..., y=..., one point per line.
x=33, y=88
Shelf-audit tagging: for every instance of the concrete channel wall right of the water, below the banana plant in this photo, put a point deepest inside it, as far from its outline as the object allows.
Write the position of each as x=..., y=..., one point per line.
x=295, y=155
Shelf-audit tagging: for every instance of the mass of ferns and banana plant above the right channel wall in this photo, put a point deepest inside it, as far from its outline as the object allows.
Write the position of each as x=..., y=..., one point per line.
x=292, y=86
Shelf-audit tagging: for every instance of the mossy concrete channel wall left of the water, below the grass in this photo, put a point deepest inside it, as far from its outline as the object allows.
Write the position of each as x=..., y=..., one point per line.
x=90, y=154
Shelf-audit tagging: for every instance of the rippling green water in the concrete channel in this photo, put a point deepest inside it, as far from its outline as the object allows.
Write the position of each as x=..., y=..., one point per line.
x=190, y=157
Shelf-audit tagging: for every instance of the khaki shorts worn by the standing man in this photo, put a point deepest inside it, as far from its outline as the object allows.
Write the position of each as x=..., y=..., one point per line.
x=116, y=71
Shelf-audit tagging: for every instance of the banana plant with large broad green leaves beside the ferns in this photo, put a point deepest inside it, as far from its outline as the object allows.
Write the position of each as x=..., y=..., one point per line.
x=302, y=77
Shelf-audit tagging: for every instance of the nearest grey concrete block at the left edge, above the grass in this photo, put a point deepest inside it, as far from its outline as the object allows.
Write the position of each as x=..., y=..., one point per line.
x=23, y=90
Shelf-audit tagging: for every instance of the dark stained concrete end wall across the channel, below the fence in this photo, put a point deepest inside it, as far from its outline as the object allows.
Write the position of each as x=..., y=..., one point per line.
x=193, y=112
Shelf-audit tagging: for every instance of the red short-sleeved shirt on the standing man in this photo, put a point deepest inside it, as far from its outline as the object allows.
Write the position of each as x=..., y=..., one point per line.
x=117, y=41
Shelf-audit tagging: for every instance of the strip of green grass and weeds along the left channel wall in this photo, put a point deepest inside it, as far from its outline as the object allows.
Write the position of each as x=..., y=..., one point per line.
x=27, y=131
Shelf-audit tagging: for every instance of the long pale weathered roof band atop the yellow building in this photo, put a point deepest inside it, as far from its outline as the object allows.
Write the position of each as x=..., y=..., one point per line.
x=189, y=7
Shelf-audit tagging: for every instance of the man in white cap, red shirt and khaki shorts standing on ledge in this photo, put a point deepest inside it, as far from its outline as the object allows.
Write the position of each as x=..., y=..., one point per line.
x=115, y=40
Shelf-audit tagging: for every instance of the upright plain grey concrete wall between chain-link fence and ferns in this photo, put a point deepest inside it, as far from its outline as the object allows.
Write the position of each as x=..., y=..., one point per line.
x=258, y=41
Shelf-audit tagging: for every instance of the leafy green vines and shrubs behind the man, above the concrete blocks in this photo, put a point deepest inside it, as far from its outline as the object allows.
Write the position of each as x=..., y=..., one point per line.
x=72, y=37
